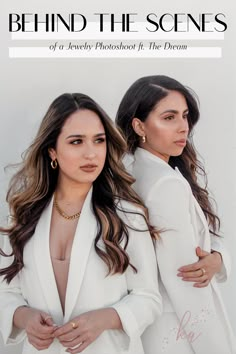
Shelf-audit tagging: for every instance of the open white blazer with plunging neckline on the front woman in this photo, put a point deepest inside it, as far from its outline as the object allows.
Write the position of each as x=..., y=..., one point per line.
x=134, y=296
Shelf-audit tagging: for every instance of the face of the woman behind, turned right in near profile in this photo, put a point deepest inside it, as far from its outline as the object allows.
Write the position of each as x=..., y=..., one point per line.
x=166, y=127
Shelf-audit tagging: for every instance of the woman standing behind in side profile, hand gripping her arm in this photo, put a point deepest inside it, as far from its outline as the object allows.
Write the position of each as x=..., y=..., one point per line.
x=157, y=115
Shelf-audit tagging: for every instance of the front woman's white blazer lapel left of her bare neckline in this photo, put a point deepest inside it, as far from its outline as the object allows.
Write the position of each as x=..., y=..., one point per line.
x=44, y=264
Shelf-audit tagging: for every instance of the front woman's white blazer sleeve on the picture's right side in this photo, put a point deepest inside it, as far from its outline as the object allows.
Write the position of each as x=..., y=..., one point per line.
x=142, y=305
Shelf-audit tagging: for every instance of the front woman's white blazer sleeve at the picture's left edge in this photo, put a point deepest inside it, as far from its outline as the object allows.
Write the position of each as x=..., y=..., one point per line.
x=10, y=299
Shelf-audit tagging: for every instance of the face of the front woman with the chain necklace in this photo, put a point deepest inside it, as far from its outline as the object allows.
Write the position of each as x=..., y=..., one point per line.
x=81, y=148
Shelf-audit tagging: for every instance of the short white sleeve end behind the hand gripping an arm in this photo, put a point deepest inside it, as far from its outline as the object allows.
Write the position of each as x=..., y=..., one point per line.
x=217, y=244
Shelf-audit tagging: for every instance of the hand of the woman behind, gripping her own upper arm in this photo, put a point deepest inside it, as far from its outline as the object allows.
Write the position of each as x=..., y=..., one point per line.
x=201, y=272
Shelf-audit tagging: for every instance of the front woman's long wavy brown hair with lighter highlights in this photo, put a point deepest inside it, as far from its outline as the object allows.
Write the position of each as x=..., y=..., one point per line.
x=32, y=187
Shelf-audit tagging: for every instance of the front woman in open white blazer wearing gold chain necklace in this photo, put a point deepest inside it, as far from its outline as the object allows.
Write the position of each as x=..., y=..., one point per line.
x=74, y=272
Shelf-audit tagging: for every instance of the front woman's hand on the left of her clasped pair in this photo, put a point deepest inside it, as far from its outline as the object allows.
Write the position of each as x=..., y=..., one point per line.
x=38, y=326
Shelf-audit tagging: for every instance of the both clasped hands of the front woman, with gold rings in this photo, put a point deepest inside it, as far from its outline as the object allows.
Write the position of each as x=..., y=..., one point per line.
x=74, y=335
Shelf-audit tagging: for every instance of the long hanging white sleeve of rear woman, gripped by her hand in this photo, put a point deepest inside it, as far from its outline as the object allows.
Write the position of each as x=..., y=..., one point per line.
x=169, y=209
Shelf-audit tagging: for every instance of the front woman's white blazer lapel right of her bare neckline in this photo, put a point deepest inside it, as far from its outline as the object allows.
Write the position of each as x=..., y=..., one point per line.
x=83, y=241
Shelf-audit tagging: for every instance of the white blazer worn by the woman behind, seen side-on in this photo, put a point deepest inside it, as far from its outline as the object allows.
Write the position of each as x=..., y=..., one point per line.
x=197, y=314
